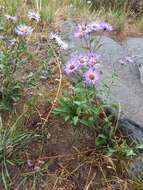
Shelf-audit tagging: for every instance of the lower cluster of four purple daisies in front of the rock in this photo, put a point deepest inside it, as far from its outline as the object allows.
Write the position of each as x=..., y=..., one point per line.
x=84, y=65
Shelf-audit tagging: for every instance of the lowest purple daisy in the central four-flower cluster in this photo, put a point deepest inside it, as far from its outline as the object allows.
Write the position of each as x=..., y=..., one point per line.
x=91, y=76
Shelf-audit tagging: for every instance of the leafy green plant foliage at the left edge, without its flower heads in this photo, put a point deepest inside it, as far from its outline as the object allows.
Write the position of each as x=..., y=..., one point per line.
x=11, y=63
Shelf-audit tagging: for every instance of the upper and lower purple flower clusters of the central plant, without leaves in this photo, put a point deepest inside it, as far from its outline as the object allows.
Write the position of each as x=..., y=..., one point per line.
x=86, y=64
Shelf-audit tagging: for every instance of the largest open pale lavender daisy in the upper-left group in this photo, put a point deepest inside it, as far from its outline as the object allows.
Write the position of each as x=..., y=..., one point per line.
x=23, y=30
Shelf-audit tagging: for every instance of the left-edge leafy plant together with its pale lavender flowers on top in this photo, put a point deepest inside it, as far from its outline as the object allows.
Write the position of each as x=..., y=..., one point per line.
x=12, y=57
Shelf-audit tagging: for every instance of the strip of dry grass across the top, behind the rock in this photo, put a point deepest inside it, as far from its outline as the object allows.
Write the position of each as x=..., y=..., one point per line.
x=122, y=15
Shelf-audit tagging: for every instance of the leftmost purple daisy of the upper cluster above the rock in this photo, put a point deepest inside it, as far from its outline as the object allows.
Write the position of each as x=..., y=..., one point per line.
x=83, y=30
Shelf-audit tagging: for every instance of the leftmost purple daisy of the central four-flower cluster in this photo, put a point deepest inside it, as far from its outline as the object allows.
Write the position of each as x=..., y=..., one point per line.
x=71, y=67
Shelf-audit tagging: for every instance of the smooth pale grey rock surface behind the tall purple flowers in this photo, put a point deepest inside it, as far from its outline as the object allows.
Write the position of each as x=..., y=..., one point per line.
x=128, y=88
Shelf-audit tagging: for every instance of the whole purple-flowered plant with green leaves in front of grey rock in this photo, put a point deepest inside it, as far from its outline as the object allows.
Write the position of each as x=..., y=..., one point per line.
x=83, y=105
